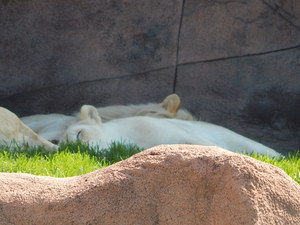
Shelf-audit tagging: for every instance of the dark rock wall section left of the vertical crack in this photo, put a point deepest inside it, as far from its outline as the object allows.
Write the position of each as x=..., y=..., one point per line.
x=75, y=49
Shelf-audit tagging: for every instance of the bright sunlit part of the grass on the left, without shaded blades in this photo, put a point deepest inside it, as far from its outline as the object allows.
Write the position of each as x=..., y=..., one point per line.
x=60, y=164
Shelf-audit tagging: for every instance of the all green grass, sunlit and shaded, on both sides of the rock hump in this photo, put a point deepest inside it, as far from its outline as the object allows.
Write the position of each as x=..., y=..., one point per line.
x=73, y=159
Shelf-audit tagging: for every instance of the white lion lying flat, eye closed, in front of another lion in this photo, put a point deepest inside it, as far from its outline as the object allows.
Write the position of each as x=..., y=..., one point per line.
x=146, y=132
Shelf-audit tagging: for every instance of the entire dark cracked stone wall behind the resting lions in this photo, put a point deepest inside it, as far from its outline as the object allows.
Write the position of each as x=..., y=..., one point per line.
x=234, y=63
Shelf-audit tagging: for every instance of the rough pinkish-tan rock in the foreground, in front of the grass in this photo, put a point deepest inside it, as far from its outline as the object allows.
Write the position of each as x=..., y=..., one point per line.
x=177, y=184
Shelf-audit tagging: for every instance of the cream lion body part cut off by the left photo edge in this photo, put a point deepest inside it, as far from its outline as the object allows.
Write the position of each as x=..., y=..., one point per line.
x=14, y=132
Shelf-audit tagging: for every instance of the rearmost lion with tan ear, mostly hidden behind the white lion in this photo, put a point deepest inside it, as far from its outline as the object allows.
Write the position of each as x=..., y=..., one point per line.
x=53, y=126
